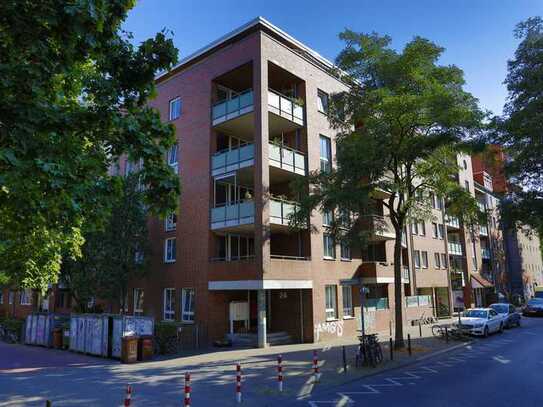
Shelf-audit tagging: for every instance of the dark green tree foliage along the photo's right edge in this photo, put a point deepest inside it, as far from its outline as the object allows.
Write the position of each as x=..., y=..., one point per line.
x=521, y=128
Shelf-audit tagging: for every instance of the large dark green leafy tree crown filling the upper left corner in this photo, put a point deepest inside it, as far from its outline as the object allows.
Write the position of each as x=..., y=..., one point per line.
x=74, y=94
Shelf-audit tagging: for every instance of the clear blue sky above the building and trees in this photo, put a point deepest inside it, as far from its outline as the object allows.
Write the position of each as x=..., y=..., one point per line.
x=477, y=34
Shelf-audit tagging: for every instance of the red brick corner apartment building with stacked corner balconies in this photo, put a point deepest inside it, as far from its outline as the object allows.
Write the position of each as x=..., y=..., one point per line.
x=249, y=114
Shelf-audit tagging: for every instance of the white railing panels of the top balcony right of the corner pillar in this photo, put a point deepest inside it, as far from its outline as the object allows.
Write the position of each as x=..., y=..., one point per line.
x=286, y=114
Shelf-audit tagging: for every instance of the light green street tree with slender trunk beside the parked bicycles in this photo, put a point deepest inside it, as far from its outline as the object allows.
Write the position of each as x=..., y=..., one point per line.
x=401, y=124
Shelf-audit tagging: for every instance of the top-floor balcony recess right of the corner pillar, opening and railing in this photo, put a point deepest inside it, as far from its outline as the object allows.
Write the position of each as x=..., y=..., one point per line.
x=286, y=97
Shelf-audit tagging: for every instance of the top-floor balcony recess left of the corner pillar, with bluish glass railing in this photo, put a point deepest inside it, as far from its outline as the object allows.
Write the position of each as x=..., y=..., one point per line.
x=232, y=102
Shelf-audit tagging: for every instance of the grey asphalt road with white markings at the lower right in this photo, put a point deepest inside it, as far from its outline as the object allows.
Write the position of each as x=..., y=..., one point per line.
x=502, y=370
